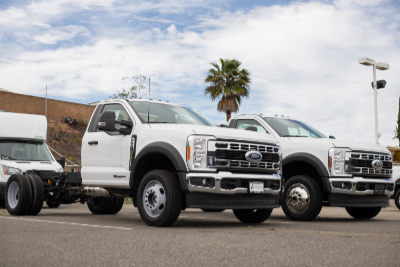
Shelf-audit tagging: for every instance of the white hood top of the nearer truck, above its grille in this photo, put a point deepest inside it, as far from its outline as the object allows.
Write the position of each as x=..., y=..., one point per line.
x=221, y=132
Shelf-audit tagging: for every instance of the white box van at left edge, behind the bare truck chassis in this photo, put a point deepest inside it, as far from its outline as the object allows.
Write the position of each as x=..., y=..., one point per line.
x=23, y=147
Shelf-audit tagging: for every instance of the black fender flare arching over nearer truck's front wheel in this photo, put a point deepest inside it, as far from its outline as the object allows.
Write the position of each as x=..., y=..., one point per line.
x=161, y=148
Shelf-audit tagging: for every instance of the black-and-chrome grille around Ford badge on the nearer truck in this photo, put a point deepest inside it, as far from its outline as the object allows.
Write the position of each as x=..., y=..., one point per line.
x=222, y=154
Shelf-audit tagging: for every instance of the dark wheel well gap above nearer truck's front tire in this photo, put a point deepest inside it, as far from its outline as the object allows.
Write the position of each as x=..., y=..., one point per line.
x=149, y=162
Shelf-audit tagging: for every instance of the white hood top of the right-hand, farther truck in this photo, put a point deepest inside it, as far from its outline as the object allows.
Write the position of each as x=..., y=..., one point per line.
x=353, y=145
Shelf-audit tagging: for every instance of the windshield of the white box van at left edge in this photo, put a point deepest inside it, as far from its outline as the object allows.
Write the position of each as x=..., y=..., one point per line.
x=24, y=150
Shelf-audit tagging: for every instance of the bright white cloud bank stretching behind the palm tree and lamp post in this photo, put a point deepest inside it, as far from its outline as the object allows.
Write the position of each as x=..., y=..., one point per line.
x=302, y=57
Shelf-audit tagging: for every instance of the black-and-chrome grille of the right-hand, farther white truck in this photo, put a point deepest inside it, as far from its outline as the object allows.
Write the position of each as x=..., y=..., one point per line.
x=361, y=163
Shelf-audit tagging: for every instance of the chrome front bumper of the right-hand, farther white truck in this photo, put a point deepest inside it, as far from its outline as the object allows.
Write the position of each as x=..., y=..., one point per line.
x=360, y=186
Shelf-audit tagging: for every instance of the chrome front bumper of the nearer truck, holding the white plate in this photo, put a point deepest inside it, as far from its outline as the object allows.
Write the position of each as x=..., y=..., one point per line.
x=218, y=177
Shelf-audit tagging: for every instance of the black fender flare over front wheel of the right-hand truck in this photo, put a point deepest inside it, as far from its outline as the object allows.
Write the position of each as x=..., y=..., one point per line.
x=313, y=161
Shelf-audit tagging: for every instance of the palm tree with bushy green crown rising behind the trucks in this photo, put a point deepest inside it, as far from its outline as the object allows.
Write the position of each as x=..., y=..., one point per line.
x=228, y=83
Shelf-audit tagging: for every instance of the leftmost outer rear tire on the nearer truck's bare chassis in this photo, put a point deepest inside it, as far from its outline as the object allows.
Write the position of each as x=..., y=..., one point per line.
x=22, y=202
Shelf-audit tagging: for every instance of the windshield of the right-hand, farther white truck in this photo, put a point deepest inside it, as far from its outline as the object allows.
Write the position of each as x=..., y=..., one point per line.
x=292, y=128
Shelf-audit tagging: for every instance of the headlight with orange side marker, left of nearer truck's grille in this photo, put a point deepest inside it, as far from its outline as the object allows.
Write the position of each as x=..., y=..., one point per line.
x=196, y=154
